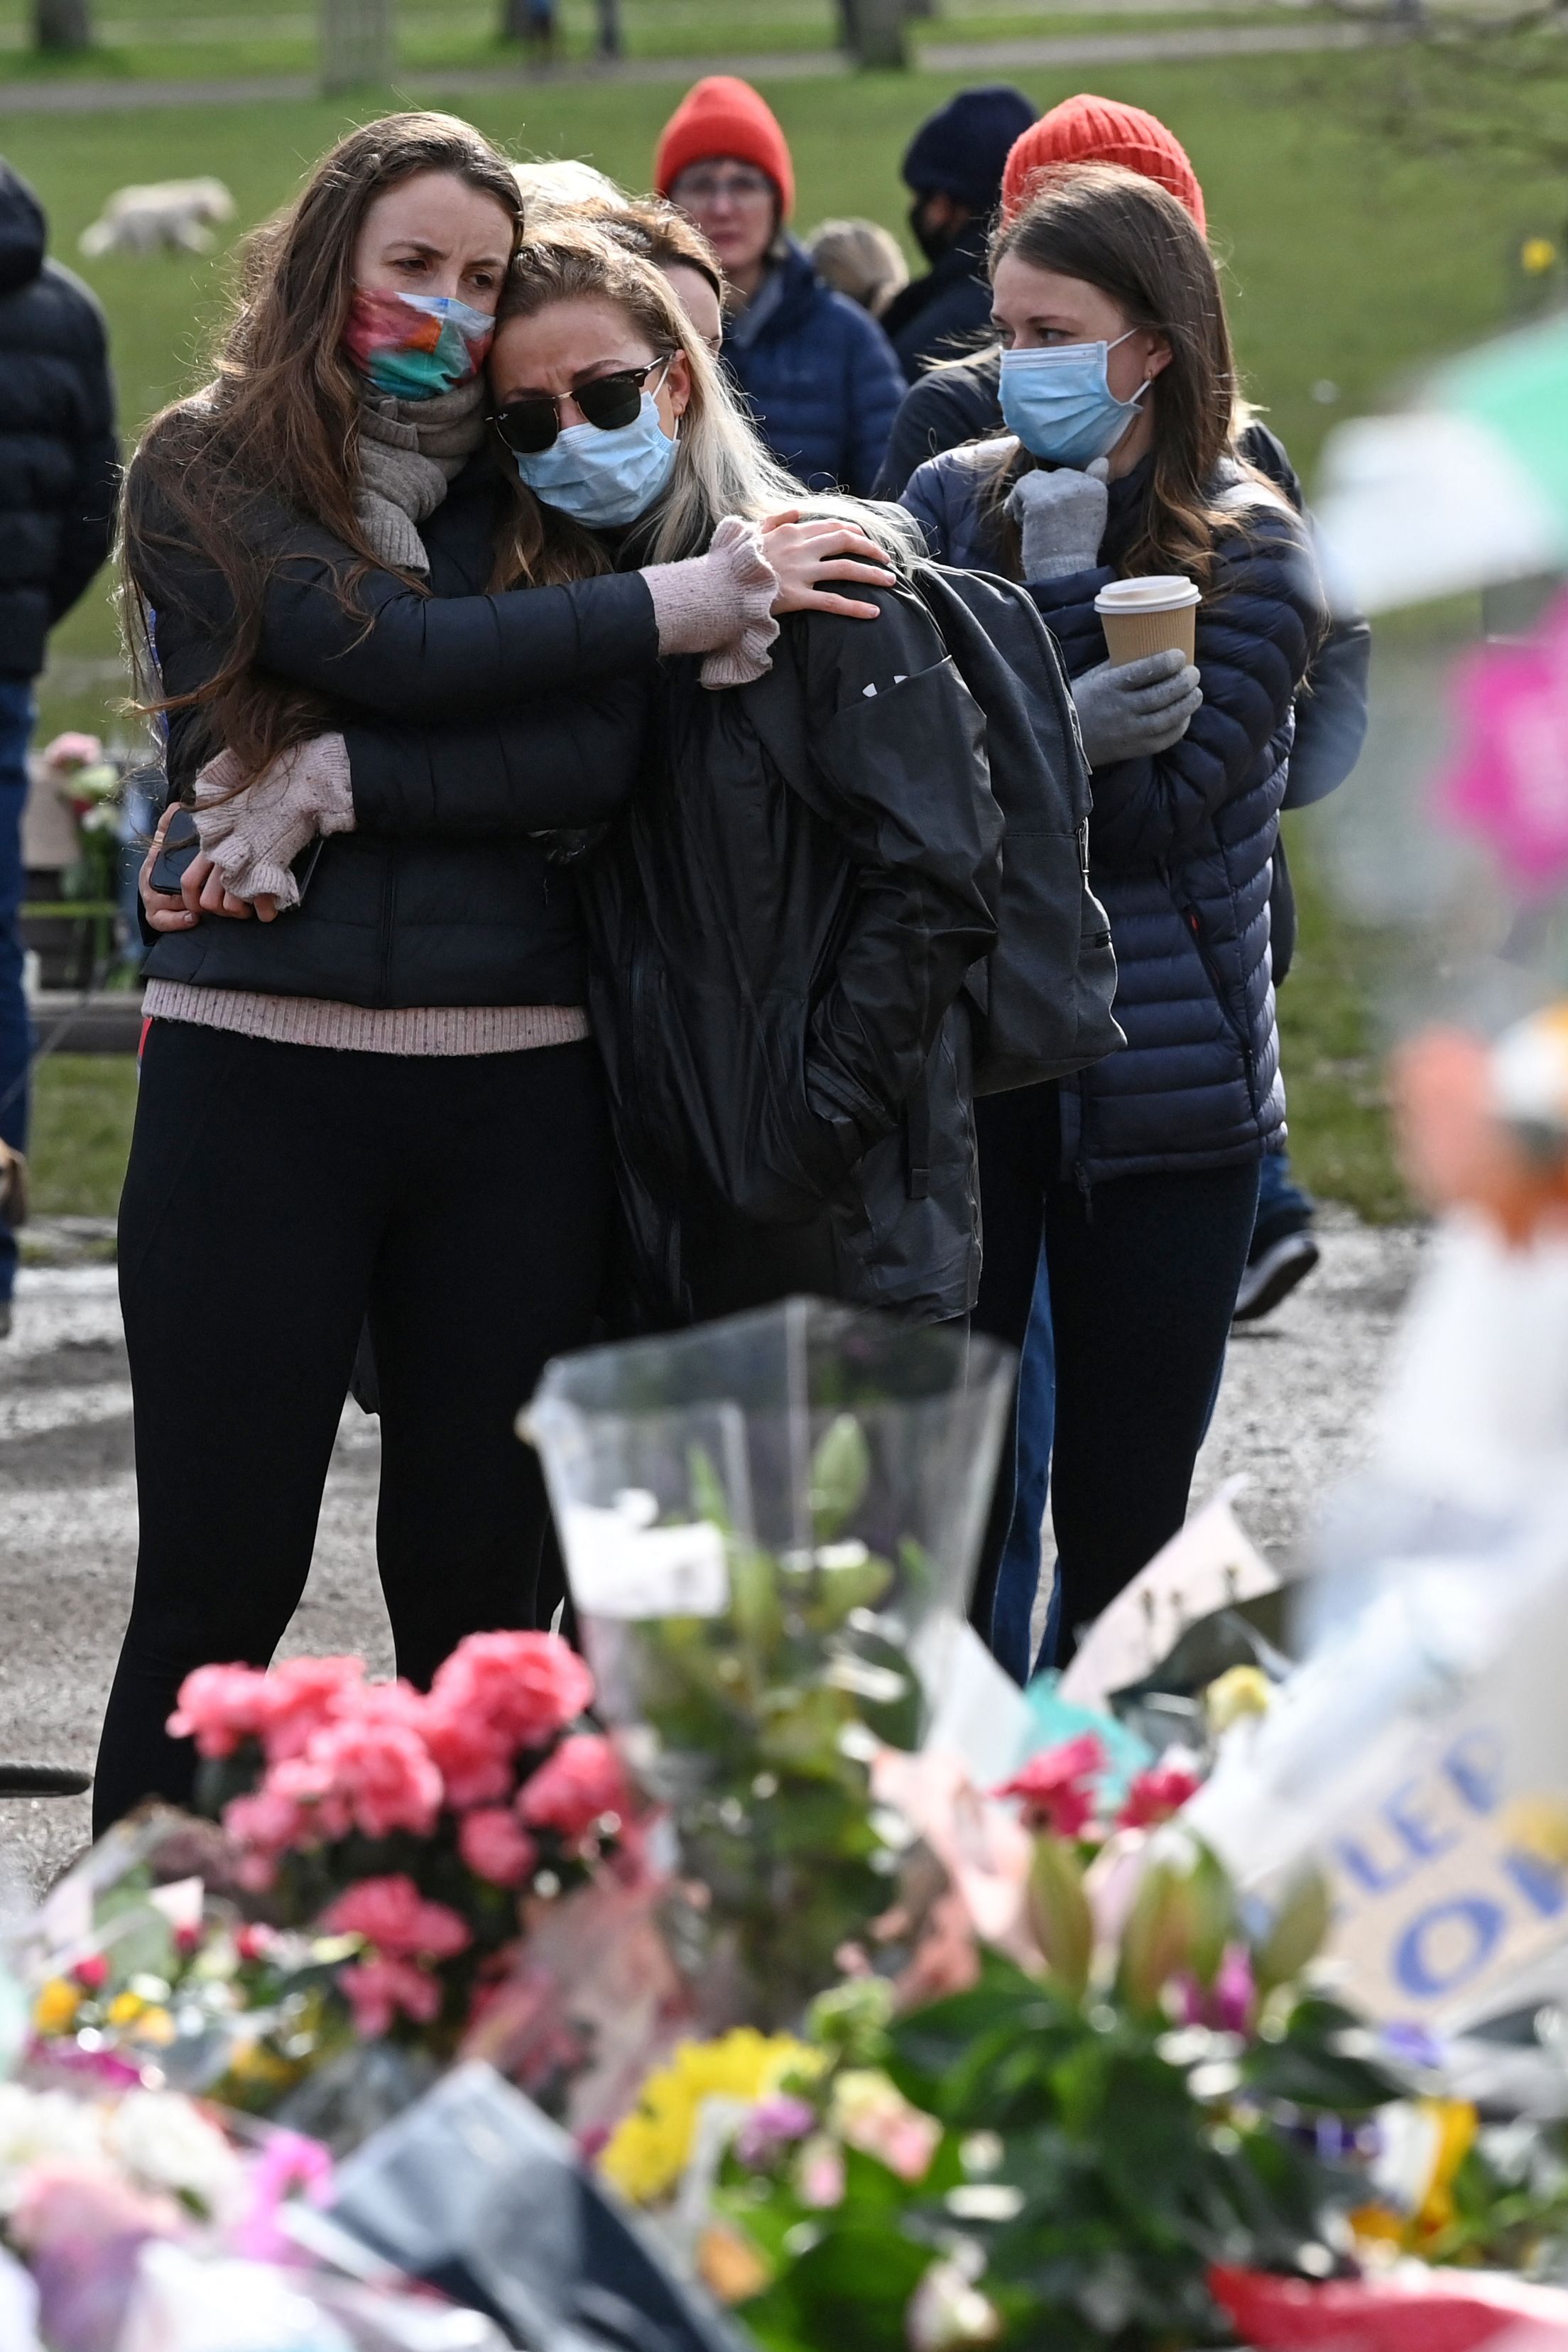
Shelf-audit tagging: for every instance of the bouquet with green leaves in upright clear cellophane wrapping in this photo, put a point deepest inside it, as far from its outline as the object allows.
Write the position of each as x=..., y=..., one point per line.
x=770, y=1528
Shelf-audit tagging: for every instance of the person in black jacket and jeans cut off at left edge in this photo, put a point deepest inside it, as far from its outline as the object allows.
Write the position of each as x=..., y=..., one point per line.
x=60, y=476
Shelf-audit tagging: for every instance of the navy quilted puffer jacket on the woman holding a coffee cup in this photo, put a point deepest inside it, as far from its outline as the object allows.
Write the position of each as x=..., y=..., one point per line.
x=1181, y=846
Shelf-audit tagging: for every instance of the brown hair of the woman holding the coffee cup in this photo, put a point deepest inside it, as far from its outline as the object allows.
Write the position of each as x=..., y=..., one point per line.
x=1137, y=243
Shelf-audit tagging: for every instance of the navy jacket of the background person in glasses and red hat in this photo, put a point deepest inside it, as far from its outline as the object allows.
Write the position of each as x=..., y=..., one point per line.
x=819, y=375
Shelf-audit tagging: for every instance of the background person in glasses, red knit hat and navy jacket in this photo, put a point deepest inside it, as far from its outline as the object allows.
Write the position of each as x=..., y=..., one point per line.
x=819, y=373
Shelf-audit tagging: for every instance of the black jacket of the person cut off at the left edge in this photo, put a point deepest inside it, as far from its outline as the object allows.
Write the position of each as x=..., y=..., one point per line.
x=60, y=467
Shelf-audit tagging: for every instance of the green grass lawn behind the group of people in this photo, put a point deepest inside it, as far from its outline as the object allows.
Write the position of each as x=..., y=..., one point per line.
x=1369, y=211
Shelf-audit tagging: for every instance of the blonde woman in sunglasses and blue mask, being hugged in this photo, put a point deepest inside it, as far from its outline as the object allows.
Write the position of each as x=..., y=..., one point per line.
x=786, y=909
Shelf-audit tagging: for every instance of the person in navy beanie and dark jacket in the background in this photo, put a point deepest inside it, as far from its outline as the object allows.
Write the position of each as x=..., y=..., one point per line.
x=953, y=168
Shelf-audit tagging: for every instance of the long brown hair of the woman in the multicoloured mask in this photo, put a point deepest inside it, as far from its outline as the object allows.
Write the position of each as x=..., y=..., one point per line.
x=281, y=422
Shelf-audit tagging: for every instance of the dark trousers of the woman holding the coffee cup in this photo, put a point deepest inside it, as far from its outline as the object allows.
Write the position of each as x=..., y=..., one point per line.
x=1144, y=1281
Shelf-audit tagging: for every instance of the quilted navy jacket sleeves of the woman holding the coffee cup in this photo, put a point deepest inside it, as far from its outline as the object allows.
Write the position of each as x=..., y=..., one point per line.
x=1257, y=634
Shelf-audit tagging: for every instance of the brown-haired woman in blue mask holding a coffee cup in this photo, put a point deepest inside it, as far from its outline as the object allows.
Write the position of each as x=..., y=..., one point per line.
x=1184, y=596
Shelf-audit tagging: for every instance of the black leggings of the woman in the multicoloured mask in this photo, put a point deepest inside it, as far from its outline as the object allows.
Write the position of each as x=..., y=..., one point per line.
x=274, y=1196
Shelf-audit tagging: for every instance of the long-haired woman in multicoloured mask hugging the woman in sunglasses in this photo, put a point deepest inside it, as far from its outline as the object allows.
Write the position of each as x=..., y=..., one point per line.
x=384, y=1100
